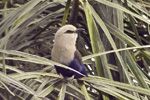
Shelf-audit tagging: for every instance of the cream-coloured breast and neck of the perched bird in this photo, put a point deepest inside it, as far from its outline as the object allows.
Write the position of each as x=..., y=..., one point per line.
x=64, y=48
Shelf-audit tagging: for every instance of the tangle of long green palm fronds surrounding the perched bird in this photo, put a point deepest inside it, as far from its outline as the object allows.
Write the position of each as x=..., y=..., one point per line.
x=114, y=46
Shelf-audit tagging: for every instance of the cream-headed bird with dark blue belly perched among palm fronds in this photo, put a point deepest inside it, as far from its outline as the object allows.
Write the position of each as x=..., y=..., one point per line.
x=64, y=51
